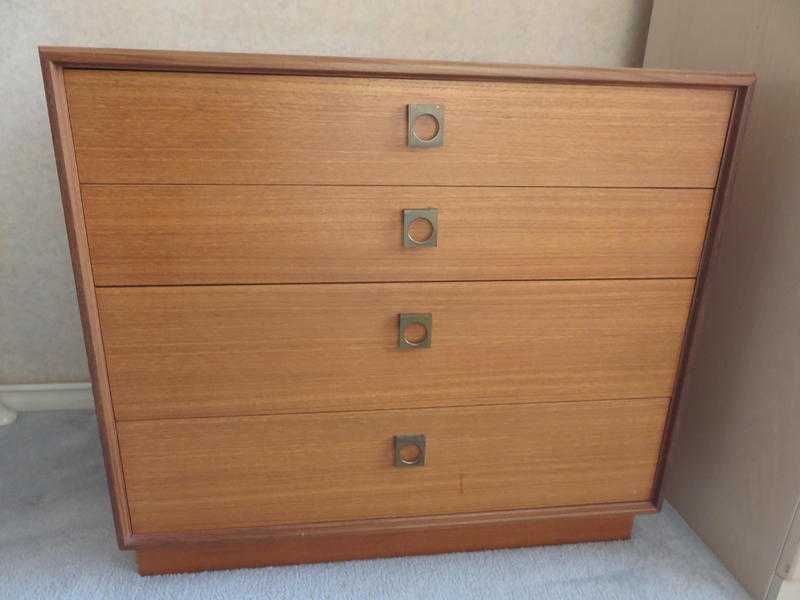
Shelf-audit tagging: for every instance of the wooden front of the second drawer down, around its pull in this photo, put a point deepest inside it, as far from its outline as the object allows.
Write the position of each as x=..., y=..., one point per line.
x=186, y=234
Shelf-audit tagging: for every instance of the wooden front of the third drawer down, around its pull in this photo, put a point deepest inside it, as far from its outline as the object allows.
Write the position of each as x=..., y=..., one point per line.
x=237, y=350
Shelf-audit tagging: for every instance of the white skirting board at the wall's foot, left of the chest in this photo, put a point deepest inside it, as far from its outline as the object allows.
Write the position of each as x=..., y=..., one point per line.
x=43, y=396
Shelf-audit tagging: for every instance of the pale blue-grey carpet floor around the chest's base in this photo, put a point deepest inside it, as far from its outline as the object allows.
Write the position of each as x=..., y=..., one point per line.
x=57, y=541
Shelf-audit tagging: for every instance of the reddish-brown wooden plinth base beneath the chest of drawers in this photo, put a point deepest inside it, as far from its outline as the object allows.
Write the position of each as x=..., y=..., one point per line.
x=208, y=556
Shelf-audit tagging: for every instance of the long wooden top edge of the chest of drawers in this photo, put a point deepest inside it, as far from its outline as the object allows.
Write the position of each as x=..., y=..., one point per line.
x=170, y=60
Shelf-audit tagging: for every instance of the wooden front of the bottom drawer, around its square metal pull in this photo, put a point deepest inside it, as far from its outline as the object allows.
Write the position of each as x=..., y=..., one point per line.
x=184, y=474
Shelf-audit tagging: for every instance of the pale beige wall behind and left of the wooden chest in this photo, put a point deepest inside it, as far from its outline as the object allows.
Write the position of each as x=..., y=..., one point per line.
x=40, y=336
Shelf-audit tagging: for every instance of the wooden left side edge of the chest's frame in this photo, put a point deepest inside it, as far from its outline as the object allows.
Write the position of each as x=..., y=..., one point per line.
x=55, y=94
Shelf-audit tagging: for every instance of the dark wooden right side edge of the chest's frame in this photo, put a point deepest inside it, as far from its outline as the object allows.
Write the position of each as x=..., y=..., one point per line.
x=737, y=125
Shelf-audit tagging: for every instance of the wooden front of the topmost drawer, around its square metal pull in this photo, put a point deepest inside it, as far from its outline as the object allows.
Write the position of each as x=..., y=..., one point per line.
x=162, y=127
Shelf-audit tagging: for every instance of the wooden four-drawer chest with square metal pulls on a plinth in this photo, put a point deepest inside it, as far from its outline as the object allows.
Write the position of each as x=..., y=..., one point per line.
x=346, y=308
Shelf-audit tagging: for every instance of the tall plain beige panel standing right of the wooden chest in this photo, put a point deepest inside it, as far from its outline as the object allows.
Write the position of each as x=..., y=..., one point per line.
x=735, y=467
